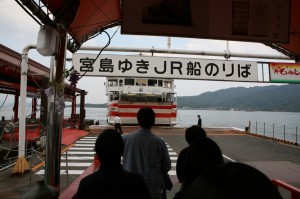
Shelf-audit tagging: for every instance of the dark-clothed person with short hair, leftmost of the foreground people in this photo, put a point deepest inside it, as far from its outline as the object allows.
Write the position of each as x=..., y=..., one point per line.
x=111, y=180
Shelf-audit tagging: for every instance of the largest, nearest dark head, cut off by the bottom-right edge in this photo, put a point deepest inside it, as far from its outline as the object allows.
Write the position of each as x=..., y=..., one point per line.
x=233, y=181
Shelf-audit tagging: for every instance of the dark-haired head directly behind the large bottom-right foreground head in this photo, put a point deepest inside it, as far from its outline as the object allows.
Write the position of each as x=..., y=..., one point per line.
x=203, y=154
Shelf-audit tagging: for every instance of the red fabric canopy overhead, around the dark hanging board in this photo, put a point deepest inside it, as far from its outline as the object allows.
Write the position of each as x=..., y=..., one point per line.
x=84, y=19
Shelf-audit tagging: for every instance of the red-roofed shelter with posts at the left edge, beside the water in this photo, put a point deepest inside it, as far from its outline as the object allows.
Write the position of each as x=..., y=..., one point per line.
x=37, y=80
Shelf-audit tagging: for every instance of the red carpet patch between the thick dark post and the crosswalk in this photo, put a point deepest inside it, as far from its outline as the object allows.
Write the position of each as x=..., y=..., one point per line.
x=69, y=136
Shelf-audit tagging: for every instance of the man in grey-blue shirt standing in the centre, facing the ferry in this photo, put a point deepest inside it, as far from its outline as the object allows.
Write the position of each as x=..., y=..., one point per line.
x=147, y=154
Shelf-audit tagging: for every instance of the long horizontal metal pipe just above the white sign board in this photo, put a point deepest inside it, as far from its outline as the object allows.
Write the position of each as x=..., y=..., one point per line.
x=185, y=52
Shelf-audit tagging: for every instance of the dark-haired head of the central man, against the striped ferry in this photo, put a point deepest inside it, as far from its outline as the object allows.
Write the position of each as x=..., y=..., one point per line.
x=146, y=117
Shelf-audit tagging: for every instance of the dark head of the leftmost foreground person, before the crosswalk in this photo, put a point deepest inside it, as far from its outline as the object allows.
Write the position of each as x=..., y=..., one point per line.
x=109, y=147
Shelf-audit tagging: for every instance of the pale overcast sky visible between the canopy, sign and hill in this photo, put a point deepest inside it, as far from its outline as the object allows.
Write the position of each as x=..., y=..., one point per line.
x=18, y=29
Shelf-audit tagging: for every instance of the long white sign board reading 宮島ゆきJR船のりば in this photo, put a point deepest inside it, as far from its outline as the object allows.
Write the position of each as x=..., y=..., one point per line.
x=164, y=67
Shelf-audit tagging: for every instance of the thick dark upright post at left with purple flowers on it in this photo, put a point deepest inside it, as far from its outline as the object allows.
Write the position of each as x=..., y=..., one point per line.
x=54, y=118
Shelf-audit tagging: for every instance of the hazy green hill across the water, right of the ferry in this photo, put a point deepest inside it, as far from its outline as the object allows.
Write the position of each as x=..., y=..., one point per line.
x=267, y=98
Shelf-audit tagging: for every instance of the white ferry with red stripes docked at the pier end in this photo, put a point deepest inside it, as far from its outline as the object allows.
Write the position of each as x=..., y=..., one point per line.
x=126, y=95
